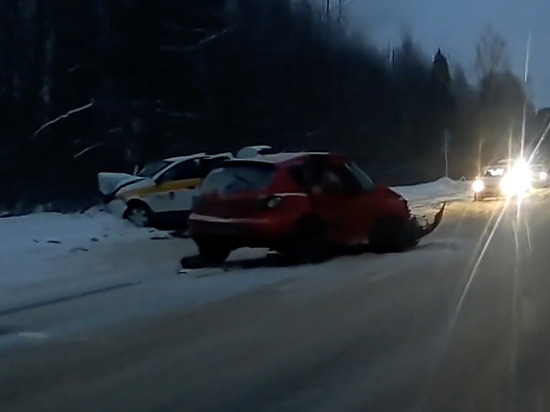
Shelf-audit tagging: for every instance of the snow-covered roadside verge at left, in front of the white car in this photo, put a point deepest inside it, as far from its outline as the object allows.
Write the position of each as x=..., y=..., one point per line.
x=43, y=247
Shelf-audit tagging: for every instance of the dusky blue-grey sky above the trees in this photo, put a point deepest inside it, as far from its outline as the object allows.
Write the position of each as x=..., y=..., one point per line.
x=456, y=25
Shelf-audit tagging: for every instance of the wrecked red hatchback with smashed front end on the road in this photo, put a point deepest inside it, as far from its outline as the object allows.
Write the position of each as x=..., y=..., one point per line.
x=298, y=204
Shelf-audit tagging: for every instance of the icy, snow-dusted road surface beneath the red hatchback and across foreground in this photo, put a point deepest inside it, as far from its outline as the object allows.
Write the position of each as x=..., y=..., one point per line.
x=459, y=323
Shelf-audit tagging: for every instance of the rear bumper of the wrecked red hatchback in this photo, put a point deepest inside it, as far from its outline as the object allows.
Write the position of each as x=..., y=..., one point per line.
x=241, y=232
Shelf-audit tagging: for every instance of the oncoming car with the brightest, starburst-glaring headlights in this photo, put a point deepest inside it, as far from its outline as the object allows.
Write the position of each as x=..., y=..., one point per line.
x=508, y=178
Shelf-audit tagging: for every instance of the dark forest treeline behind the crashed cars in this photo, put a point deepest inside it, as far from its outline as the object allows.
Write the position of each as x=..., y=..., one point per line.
x=146, y=79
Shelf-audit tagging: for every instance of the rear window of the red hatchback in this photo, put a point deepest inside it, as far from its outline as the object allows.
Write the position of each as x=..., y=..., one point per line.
x=239, y=178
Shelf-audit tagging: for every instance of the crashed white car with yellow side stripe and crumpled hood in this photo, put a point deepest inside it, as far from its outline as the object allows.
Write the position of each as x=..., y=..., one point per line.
x=161, y=193
